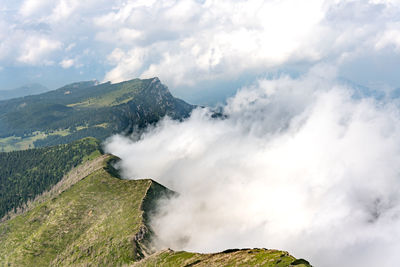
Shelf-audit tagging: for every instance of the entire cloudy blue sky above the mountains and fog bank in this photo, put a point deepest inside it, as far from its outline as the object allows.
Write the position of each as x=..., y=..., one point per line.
x=200, y=49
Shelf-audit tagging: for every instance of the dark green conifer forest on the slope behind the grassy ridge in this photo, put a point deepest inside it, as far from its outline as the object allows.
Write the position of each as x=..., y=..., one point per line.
x=26, y=174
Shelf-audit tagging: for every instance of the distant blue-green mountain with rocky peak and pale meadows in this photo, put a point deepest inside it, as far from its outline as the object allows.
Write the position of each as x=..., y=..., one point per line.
x=85, y=109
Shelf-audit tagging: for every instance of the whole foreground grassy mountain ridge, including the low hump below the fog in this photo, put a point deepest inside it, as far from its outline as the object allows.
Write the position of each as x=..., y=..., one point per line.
x=97, y=219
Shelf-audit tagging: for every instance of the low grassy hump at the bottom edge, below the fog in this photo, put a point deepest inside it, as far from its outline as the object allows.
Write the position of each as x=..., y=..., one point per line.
x=233, y=257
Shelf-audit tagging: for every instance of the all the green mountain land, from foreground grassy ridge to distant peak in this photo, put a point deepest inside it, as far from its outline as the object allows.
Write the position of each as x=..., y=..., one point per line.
x=65, y=205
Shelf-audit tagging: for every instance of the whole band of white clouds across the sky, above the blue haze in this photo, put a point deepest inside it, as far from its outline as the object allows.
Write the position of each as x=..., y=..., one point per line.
x=188, y=42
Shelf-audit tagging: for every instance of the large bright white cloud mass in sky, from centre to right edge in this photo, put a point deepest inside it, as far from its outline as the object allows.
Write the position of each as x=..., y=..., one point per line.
x=193, y=41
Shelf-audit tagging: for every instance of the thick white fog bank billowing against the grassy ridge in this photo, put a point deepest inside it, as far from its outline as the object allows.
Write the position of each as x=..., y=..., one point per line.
x=299, y=165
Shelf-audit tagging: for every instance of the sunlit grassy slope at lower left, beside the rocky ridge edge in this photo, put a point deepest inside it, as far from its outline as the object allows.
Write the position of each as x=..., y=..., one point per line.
x=97, y=221
